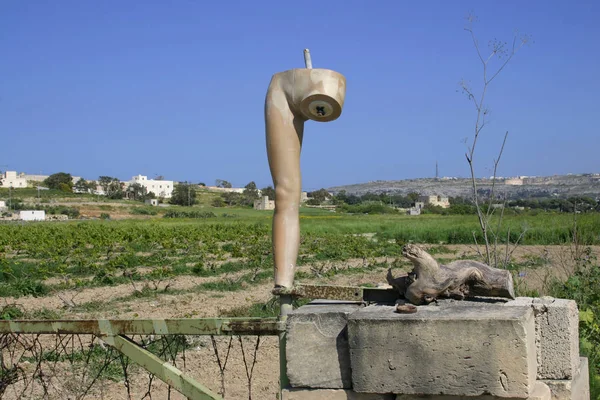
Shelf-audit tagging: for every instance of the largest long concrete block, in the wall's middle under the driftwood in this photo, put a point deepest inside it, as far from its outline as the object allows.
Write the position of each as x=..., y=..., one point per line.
x=456, y=348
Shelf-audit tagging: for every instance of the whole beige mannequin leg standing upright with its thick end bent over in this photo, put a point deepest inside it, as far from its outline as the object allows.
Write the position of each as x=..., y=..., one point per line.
x=293, y=97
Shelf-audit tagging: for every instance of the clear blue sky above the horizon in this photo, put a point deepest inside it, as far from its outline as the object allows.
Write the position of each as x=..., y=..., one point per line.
x=176, y=88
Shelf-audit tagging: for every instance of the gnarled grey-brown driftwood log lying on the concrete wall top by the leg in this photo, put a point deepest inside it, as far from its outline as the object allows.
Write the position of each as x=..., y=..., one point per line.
x=459, y=279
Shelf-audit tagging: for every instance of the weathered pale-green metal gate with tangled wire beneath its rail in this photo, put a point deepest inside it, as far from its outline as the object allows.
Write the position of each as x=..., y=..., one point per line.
x=22, y=340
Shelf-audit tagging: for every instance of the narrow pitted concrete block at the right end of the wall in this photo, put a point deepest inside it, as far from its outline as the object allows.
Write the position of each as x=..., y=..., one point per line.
x=557, y=336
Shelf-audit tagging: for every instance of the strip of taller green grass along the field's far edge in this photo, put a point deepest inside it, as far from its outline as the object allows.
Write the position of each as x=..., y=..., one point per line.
x=542, y=229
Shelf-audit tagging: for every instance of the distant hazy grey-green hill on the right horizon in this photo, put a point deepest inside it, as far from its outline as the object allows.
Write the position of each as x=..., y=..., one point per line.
x=521, y=187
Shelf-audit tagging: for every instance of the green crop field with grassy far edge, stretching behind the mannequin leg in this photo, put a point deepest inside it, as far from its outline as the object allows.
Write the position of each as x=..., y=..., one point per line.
x=33, y=252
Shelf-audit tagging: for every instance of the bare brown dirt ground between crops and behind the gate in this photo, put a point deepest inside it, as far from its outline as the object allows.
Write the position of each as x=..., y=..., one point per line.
x=537, y=265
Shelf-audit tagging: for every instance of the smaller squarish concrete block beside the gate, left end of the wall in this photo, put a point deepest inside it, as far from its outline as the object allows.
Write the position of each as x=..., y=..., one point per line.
x=317, y=346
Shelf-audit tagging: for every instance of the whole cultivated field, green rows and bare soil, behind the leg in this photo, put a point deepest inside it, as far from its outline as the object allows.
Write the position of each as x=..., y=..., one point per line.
x=145, y=265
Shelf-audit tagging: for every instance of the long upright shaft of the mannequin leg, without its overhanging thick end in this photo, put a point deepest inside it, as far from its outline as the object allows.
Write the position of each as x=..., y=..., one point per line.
x=284, y=133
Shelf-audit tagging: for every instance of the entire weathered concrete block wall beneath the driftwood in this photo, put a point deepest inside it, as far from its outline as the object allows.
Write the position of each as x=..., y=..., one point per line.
x=485, y=349
